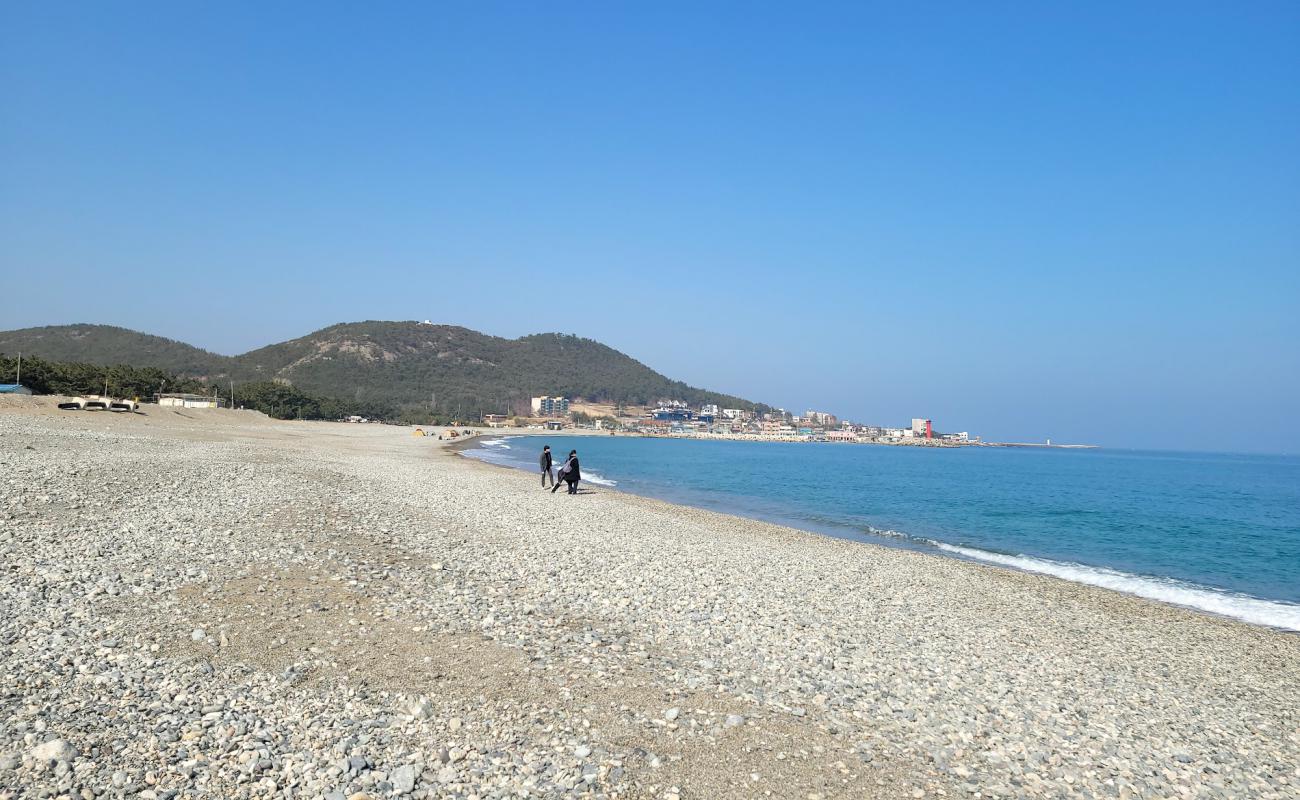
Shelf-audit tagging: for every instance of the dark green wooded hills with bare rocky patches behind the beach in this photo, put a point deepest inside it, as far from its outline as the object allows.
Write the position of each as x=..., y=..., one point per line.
x=405, y=364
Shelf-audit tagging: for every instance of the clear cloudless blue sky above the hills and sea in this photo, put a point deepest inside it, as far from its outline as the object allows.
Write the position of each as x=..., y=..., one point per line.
x=1021, y=220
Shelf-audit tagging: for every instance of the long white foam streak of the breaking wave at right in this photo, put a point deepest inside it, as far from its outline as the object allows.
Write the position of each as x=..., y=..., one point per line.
x=1240, y=607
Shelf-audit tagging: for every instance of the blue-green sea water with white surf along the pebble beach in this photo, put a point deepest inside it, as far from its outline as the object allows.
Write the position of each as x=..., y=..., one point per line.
x=1216, y=533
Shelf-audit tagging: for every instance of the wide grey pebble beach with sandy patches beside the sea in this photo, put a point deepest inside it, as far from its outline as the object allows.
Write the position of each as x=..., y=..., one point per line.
x=211, y=604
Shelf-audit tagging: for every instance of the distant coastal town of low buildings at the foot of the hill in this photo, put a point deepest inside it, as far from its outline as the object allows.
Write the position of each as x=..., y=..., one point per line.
x=679, y=420
